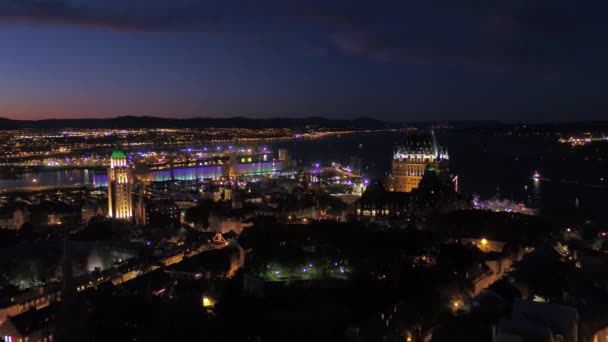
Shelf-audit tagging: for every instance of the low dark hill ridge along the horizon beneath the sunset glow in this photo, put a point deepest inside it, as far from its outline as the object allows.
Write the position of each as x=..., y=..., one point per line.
x=156, y=122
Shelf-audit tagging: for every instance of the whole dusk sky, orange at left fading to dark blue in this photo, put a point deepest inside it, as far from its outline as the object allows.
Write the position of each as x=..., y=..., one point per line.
x=393, y=60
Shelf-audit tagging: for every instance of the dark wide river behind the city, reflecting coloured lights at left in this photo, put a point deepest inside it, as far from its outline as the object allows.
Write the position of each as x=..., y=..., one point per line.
x=486, y=165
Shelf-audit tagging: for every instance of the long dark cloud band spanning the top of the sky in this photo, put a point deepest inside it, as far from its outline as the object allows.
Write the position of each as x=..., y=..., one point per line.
x=545, y=36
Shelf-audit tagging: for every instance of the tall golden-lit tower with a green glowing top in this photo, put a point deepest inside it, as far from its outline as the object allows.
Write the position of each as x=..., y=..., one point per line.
x=119, y=186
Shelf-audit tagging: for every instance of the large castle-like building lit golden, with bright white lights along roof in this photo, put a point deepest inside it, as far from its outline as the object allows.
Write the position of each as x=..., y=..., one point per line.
x=411, y=159
